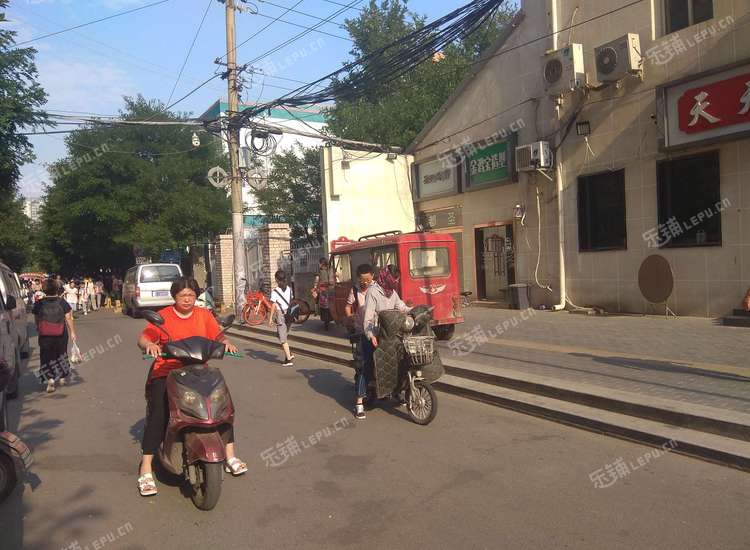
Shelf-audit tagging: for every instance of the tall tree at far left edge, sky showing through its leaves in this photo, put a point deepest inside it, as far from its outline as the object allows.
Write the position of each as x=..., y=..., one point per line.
x=21, y=99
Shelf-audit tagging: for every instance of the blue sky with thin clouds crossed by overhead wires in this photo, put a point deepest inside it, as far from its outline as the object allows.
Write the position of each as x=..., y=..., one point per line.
x=90, y=70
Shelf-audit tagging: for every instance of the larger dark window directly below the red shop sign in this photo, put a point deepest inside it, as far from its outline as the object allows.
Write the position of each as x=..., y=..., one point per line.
x=688, y=192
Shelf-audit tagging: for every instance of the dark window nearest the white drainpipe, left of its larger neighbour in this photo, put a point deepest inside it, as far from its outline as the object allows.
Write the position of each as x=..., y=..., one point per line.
x=601, y=212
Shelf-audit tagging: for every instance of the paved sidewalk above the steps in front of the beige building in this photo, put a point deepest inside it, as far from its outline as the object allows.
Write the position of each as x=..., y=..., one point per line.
x=686, y=360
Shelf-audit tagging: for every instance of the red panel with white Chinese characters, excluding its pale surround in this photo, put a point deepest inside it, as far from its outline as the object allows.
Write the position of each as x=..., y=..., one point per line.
x=716, y=105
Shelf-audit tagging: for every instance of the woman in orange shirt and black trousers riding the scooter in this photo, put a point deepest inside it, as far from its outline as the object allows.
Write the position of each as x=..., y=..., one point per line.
x=181, y=320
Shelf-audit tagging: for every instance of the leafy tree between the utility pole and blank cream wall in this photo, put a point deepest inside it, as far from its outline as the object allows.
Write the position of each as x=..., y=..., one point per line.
x=293, y=194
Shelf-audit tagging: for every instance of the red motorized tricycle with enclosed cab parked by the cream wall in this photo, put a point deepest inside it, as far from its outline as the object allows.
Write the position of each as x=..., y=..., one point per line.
x=428, y=263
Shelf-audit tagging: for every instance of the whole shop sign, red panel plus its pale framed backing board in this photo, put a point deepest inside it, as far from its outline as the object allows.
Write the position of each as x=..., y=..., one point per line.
x=708, y=108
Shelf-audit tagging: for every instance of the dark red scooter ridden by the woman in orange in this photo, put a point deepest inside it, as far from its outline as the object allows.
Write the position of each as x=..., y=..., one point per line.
x=200, y=414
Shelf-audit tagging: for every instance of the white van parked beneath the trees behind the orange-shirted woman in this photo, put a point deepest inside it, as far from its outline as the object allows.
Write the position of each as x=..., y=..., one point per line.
x=147, y=286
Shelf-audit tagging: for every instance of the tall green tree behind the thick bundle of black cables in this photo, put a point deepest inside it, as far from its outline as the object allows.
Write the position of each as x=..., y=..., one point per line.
x=395, y=112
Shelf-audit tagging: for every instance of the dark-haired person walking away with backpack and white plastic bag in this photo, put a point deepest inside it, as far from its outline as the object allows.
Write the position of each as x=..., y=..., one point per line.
x=54, y=323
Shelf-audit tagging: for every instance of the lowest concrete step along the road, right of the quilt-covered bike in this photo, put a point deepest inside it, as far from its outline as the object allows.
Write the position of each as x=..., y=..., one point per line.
x=714, y=448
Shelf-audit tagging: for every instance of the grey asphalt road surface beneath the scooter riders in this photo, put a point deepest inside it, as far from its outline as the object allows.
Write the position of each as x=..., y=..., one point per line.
x=477, y=477
